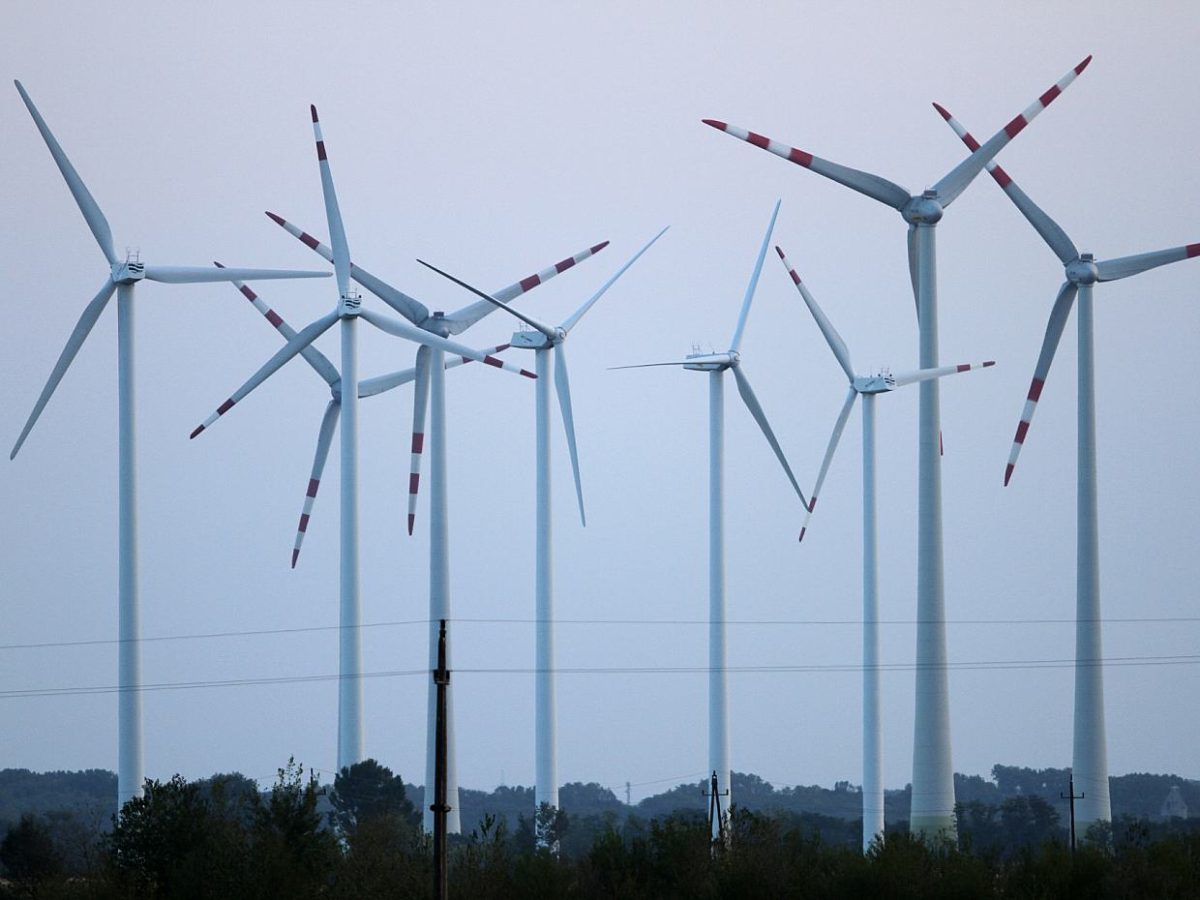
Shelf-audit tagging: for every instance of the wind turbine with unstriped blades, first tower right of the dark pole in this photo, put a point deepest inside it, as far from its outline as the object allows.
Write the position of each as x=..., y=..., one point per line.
x=547, y=341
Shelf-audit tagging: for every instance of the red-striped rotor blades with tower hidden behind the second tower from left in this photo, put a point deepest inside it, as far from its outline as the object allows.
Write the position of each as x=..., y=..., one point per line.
x=368, y=388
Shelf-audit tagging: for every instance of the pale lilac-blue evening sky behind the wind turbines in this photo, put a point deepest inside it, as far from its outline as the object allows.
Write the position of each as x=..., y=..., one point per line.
x=493, y=141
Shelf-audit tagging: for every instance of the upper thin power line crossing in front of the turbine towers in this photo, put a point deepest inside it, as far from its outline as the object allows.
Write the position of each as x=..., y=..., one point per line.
x=765, y=623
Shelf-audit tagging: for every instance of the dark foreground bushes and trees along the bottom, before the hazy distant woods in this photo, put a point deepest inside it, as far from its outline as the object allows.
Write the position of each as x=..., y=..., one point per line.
x=223, y=838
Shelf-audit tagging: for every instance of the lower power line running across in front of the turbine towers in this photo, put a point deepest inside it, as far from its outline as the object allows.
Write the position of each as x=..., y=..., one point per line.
x=976, y=665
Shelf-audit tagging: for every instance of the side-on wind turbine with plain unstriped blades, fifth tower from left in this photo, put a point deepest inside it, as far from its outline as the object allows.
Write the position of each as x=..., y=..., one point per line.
x=717, y=365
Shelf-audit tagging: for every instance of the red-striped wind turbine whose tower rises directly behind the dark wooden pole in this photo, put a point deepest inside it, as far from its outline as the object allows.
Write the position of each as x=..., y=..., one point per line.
x=430, y=387
